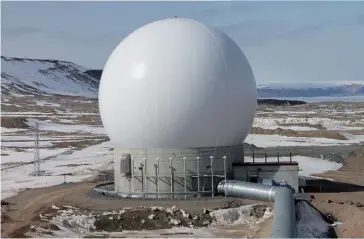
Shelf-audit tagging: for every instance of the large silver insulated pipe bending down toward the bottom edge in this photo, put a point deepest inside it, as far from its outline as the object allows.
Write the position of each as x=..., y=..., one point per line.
x=284, y=218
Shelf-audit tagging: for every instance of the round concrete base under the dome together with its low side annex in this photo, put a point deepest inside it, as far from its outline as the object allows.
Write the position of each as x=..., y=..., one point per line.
x=192, y=173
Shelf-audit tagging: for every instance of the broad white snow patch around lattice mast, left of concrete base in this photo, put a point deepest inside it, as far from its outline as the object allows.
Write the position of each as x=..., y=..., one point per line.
x=85, y=165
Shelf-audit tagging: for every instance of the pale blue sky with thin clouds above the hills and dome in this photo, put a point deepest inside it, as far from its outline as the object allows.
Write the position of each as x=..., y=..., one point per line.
x=283, y=41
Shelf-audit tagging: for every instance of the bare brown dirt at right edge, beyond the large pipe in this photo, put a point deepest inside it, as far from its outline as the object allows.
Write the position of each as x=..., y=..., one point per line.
x=345, y=202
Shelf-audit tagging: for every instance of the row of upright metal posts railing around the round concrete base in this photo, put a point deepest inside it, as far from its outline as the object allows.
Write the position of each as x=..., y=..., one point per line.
x=139, y=175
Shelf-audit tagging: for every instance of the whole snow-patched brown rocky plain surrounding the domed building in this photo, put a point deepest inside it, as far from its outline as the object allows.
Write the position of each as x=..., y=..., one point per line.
x=74, y=149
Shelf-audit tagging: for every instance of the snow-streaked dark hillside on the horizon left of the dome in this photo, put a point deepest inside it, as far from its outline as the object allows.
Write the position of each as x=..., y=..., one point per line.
x=30, y=76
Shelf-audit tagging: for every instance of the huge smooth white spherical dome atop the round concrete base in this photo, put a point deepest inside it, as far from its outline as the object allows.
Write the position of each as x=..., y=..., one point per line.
x=177, y=83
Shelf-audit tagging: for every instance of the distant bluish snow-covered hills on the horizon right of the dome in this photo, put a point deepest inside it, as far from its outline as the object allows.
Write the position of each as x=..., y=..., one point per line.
x=279, y=90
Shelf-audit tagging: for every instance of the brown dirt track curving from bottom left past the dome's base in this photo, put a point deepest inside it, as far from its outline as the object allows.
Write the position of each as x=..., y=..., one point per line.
x=24, y=209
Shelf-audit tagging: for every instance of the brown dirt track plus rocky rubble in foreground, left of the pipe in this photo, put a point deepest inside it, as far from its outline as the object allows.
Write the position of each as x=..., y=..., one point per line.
x=70, y=206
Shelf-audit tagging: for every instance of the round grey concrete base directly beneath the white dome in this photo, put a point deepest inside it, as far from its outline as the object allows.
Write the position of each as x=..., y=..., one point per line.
x=173, y=173
